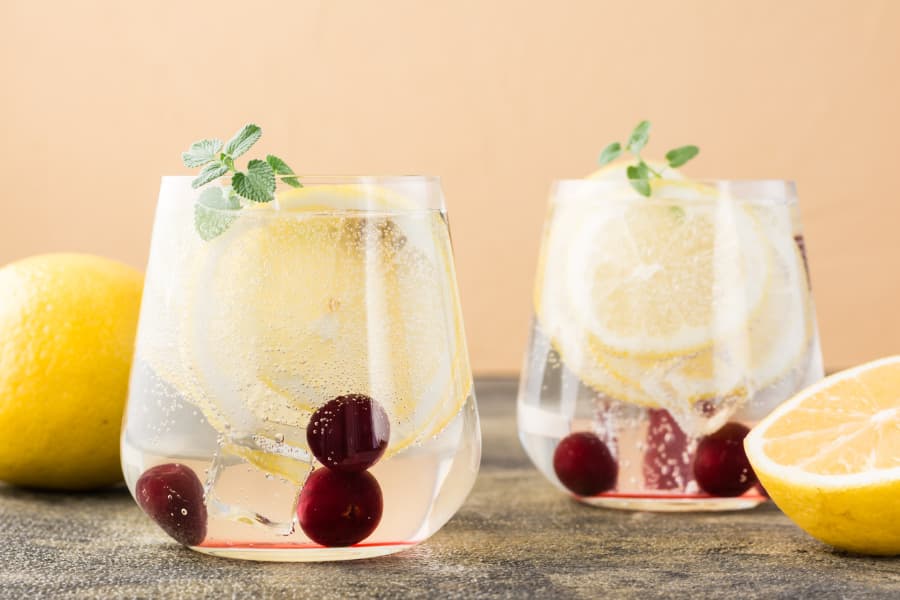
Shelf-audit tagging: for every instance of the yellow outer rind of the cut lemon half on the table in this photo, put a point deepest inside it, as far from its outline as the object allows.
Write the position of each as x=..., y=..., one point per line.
x=864, y=519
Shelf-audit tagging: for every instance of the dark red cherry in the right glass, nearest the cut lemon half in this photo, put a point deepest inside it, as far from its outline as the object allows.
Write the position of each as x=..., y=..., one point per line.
x=721, y=467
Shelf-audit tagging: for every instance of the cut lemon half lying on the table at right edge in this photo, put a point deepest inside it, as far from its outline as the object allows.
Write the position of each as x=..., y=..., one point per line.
x=830, y=458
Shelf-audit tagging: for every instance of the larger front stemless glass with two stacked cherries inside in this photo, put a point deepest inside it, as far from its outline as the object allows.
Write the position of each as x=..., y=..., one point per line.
x=301, y=387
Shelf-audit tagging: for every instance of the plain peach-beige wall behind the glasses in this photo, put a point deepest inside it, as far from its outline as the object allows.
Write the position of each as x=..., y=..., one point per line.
x=498, y=97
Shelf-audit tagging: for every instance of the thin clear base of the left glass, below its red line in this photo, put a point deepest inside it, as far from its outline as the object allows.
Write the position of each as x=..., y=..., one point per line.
x=296, y=553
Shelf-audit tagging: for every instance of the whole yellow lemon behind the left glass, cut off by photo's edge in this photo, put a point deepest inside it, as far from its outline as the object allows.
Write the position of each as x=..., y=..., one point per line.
x=67, y=327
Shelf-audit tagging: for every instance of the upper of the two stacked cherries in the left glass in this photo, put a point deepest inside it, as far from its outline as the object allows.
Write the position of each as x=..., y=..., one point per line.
x=349, y=433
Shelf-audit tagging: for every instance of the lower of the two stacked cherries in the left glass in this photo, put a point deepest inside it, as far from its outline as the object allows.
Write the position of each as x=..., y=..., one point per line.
x=339, y=508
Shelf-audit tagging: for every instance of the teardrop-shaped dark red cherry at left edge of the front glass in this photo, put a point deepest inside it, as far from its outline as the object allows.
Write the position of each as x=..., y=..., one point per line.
x=172, y=495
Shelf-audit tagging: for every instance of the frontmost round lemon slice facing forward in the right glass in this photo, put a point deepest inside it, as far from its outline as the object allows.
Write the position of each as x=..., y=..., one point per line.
x=662, y=277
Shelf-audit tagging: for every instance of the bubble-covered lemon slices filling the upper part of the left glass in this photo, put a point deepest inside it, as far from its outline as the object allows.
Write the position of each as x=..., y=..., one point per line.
x=325, y=299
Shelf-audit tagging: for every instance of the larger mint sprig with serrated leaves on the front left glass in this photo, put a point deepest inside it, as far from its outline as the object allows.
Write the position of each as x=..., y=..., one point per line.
x=256, y=184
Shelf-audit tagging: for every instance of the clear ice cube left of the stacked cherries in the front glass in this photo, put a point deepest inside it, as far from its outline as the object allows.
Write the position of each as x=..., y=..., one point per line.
x=256, y=480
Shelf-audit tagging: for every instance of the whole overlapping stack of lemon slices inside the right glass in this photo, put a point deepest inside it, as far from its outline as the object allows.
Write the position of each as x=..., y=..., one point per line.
x=664, y=301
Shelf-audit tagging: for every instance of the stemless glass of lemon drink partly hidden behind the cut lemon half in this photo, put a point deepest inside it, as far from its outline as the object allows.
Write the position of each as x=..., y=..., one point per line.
x=663, y=328
